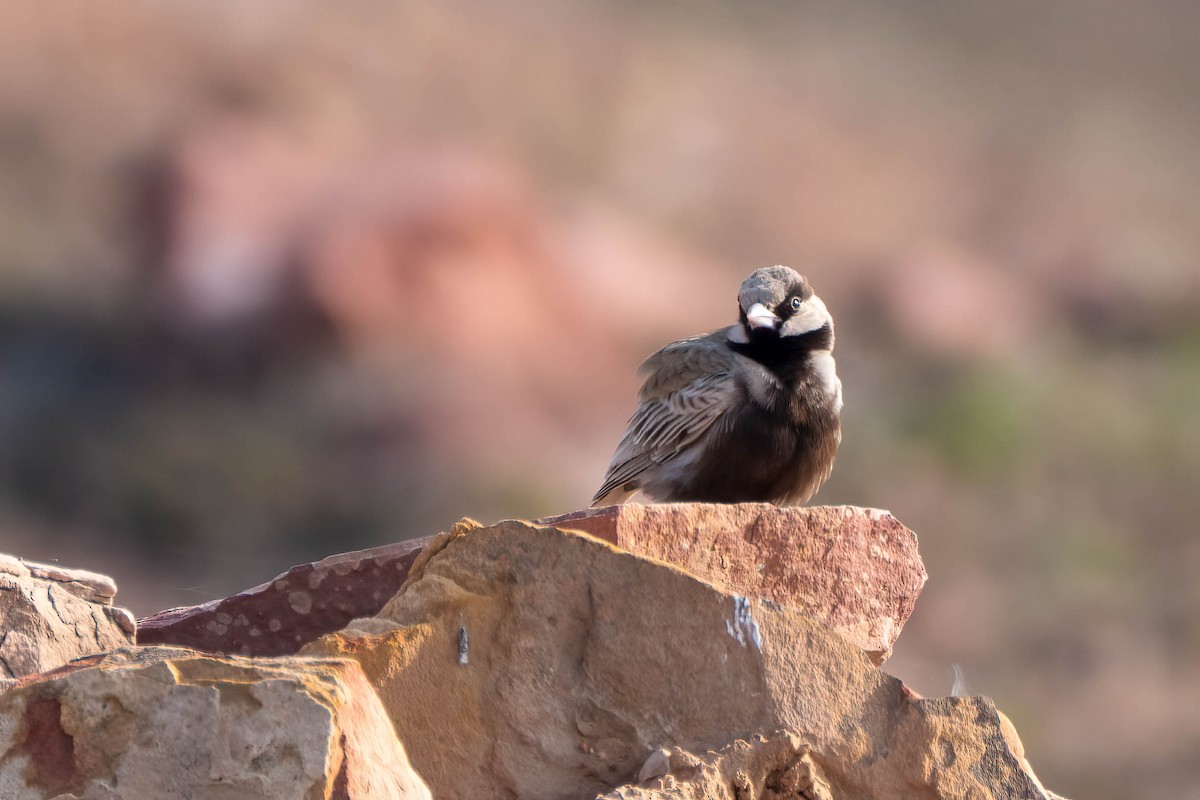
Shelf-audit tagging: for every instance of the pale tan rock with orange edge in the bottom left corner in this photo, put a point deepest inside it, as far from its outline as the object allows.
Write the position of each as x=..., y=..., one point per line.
x=166, y=723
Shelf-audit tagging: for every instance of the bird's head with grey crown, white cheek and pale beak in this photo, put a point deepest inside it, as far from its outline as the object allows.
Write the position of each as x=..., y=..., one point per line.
x=776, y=303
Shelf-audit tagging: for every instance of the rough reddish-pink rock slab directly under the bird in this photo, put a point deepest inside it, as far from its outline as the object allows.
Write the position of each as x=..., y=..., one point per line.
x=856, y=570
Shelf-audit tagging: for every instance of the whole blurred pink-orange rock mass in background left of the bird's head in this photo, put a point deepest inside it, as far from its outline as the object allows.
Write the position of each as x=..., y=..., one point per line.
x=385, y=243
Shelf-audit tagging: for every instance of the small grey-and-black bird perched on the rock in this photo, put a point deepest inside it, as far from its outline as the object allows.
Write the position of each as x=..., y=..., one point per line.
x=748, y=413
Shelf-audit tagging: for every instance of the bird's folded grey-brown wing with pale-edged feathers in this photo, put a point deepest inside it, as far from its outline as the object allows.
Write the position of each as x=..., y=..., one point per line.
x=689, y=386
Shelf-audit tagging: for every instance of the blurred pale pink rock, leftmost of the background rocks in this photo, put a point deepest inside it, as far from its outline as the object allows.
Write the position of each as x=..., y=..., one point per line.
x=232, y=191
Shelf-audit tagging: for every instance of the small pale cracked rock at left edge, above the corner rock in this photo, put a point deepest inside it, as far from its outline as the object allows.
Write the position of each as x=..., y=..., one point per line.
x=50, y=616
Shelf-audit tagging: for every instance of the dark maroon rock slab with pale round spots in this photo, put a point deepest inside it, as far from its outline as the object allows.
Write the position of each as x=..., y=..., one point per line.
x=279, y=617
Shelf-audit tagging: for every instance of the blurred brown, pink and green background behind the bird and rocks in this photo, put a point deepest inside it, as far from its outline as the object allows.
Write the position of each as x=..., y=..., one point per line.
x=283, y=280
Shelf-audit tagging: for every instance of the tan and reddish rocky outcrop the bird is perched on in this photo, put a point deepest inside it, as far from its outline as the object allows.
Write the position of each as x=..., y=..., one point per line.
x=683, y=652
